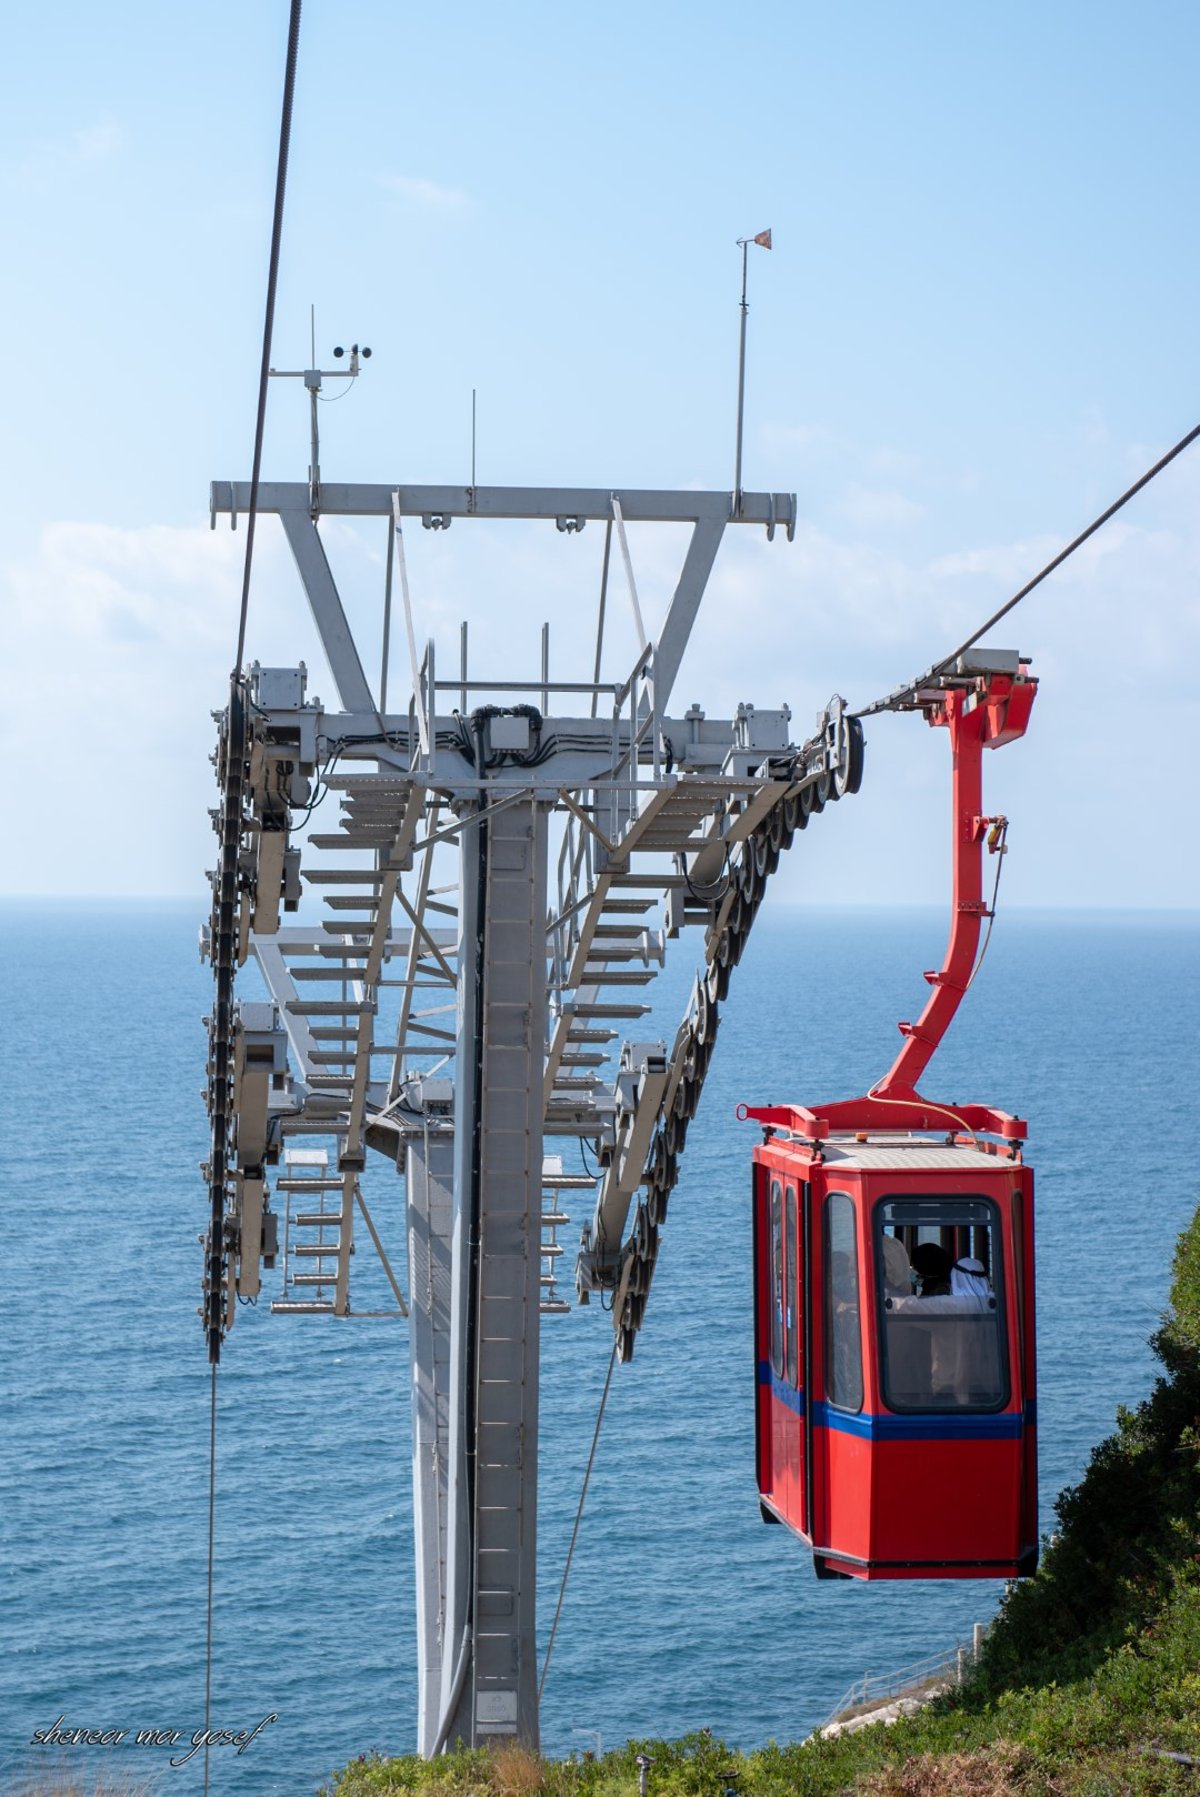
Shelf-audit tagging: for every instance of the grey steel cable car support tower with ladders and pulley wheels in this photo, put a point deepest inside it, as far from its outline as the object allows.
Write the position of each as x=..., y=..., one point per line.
x=509, y=863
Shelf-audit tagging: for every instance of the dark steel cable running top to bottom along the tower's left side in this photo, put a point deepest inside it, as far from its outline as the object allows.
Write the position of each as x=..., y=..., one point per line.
x=225, y=910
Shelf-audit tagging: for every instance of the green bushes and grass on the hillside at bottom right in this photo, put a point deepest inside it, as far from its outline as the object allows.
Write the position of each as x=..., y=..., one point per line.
x=1090, y=1685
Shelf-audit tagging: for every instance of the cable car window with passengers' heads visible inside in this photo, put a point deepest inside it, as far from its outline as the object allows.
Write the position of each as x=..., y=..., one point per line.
x=942, y=1306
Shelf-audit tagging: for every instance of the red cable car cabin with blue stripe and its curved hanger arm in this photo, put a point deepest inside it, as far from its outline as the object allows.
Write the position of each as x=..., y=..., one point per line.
x=894, y=1275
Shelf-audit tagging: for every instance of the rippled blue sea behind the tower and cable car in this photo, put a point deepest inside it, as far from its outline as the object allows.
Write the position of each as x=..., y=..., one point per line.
x=684, y=1609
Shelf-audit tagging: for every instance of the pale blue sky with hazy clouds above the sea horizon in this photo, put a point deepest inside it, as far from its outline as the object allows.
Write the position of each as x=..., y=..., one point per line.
x=976, y=328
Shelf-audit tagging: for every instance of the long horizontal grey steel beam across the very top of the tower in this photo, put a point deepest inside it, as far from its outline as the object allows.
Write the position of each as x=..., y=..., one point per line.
x=639, y=506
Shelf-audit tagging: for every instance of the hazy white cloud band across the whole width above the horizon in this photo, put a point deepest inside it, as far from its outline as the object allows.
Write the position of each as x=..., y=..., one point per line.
x=119, y=644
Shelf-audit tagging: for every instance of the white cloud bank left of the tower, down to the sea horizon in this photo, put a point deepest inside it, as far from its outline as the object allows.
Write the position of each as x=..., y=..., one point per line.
x=118, y=648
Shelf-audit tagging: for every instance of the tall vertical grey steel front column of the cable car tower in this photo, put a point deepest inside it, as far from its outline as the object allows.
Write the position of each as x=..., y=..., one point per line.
x=490, y=1672
